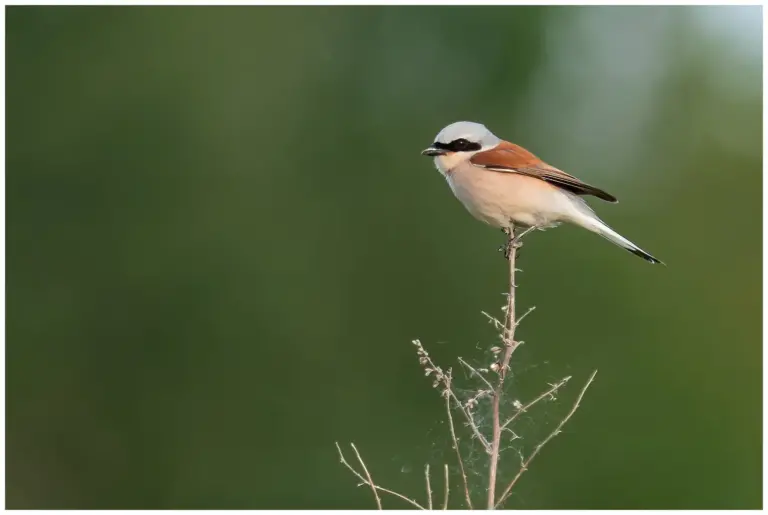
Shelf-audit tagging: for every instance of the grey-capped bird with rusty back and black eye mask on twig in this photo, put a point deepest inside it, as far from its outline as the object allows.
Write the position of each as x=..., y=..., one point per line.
x=505, y=186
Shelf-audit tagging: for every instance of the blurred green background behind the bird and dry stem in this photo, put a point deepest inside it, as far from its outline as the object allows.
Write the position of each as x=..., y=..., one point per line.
x=221, y=239
